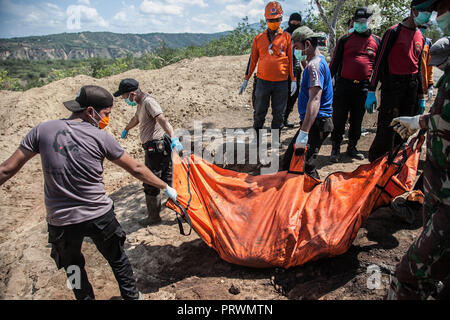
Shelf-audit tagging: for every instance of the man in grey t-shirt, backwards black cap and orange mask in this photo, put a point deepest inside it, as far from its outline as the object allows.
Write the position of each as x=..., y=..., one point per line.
x=72, y=153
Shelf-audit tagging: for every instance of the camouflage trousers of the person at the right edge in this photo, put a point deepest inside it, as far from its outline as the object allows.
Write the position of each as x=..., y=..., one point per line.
x=428, y=259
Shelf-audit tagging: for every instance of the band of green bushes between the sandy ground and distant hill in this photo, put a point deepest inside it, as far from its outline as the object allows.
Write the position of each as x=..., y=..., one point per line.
x=24, y=74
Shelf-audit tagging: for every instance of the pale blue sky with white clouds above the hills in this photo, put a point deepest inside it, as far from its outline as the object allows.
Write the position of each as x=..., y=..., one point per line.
x=19, y=18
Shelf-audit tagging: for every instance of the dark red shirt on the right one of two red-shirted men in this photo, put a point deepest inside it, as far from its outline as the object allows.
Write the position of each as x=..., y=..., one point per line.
x=404, y=57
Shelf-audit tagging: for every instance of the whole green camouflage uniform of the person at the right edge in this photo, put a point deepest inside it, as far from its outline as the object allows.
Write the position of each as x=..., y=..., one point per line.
x=428, y=259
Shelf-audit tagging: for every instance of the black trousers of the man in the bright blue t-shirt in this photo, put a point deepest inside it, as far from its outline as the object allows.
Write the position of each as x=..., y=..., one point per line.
x=320, y=130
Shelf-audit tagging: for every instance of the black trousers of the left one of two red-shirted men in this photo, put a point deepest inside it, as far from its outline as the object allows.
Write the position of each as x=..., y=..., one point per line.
x=348, y=98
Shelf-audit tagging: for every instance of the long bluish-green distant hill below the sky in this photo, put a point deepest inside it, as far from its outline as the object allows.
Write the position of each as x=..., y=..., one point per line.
x=86, y=45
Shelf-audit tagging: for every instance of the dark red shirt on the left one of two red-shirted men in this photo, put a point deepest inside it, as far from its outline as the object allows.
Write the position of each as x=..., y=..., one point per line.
x=359, y=56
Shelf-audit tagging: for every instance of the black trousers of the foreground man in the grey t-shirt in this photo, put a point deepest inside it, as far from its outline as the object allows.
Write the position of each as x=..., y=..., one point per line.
x=109, y=238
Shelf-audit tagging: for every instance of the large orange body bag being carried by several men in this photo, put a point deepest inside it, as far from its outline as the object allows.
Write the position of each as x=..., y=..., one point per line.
x=287, y=219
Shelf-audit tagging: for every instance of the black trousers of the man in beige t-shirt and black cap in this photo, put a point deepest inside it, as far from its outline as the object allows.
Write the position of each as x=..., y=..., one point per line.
x=159, y=161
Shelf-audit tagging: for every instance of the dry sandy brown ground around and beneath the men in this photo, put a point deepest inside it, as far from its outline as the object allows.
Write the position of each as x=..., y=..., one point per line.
x=166, y=264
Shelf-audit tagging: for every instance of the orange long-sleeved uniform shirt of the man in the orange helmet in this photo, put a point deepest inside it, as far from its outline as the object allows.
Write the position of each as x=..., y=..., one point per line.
x=277, y=66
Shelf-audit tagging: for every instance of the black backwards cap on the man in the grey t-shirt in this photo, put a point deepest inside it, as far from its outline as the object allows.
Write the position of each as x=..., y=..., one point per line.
x=90, y=96
